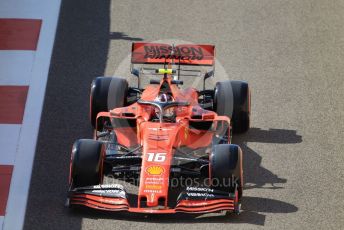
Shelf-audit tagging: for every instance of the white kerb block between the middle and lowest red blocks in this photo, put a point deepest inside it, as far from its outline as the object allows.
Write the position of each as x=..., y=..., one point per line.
x=9, y=135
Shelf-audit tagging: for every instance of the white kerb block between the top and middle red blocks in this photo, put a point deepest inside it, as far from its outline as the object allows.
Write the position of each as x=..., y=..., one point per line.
x=16, y=67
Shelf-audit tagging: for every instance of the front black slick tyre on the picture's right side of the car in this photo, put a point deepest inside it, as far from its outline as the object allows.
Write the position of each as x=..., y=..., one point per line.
x=226, y=172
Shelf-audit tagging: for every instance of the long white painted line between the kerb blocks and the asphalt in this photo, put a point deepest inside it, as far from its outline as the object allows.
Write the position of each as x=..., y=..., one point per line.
x=16, y=205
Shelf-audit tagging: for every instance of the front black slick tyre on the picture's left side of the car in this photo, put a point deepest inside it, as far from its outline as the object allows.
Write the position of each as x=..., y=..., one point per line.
x=86, y=163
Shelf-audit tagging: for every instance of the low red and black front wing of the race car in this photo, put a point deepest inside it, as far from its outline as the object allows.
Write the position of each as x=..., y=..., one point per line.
x=192, y=200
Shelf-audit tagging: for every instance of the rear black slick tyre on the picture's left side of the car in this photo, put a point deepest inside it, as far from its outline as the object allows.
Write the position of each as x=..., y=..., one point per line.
x=107, y=93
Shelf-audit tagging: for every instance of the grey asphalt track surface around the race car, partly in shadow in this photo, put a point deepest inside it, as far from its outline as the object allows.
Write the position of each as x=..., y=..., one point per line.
x=291, y=53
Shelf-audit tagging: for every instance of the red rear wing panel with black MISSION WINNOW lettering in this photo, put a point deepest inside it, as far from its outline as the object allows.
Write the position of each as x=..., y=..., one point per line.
x=186, y=54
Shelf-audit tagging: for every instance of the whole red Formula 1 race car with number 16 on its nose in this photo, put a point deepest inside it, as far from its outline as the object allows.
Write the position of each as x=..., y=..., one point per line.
x=147, y=138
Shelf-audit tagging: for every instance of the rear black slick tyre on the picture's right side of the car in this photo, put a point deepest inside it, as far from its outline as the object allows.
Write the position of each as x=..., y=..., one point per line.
x=232, y=99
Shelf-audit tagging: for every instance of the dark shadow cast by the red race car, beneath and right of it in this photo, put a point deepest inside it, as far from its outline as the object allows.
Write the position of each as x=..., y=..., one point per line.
x=254, y=208
